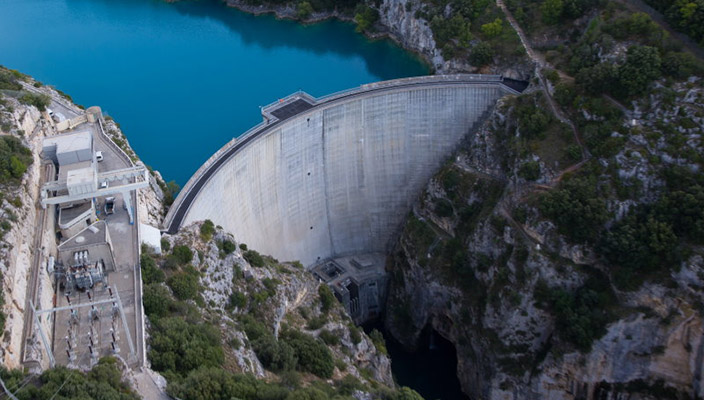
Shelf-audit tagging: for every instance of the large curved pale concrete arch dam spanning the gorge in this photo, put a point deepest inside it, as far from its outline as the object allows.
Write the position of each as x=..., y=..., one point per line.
x=336, y=176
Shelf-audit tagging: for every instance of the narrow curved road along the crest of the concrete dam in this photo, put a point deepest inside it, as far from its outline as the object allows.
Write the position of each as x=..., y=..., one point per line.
x=188, y=197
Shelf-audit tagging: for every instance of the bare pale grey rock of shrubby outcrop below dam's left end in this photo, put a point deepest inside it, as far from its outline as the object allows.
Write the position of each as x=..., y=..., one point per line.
x=295, y=304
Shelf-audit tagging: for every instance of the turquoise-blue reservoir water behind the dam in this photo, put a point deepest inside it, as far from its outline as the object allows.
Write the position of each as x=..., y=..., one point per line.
x=184, y=78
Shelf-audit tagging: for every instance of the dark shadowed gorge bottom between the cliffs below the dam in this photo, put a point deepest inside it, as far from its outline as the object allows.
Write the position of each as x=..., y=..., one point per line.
x=431, y=370
